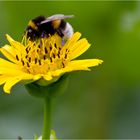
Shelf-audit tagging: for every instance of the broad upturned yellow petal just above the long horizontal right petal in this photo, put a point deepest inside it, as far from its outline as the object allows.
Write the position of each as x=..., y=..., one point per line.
x=78, y=48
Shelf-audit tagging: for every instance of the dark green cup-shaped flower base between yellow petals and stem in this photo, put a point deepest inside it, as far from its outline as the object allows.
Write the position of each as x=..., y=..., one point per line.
x=52, y=90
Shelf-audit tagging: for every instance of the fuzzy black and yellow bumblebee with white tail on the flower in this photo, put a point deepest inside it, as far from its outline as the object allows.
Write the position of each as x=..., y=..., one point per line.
x=41, y=27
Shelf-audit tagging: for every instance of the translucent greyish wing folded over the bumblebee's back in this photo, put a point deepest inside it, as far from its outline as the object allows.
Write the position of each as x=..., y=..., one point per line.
x=56, y=17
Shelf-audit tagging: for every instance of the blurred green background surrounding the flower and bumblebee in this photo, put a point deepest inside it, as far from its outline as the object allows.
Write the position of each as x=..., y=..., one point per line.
x=103, y=103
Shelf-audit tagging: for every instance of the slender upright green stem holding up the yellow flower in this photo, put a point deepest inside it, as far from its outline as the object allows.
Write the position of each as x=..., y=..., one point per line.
x=47, y=119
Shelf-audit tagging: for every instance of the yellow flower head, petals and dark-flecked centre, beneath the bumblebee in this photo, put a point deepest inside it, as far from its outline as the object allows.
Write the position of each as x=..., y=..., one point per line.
x=45, y=59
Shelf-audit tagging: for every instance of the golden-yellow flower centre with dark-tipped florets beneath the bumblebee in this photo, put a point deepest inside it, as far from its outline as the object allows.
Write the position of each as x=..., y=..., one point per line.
x=42, y=55
